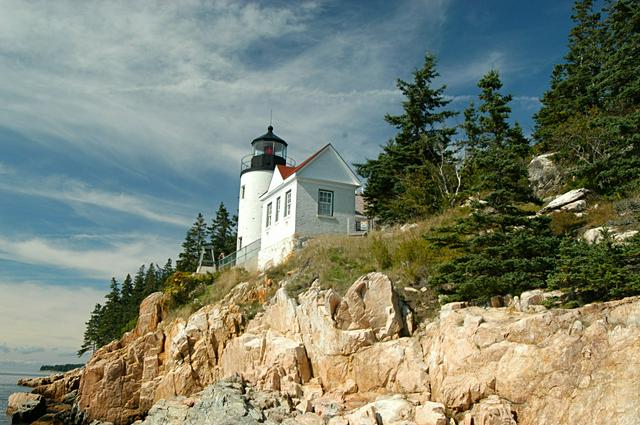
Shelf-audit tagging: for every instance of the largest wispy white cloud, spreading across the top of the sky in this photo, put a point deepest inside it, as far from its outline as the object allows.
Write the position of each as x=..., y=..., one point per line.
x=189, y=83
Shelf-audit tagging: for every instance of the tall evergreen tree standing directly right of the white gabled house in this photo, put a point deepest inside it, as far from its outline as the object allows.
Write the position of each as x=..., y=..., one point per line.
x=418, y=153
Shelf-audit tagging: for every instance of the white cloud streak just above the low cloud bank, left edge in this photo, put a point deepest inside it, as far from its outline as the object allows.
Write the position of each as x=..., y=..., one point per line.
x=116, y=258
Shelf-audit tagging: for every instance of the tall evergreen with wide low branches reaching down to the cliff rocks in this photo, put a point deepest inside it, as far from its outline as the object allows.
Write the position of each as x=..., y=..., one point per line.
x=502, y=250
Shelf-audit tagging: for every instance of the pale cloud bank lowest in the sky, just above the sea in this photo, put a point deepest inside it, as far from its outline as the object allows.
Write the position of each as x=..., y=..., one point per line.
x=40, y=321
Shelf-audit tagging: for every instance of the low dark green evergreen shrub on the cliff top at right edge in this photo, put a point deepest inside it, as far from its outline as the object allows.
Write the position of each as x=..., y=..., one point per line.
x=597, y=272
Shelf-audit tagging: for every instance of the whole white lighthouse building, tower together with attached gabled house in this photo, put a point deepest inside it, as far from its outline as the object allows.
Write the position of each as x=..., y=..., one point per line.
x=280, y=203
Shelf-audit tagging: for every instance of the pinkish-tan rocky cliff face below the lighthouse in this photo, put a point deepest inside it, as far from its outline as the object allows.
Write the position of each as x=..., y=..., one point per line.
x=357, y=359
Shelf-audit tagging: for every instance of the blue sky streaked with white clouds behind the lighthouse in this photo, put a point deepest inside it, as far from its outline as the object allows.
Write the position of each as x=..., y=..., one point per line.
x=120, y=120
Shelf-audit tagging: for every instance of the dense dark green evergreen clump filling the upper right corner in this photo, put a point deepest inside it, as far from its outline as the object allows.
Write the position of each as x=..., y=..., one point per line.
x=591, y=113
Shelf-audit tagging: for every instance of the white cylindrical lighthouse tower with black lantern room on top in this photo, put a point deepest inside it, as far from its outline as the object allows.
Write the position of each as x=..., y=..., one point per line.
x=256, y=171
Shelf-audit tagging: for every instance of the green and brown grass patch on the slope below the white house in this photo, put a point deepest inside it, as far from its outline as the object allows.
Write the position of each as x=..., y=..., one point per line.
x=336, y=261
